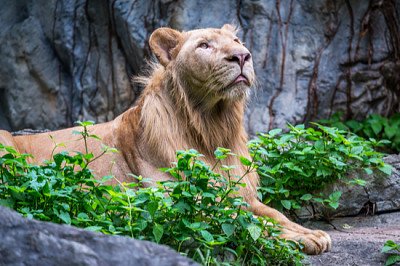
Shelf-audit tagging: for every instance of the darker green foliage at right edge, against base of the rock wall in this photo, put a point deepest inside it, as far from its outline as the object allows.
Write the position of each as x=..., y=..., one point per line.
x=374, y=127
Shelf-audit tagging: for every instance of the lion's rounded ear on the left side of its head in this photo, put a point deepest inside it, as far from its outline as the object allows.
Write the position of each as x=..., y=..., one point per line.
x=164, y=43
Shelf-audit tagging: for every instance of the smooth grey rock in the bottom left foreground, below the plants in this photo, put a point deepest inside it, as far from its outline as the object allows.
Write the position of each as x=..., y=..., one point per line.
x=30, y=242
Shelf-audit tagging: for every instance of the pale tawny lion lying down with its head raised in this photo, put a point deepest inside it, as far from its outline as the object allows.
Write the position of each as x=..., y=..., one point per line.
x=193, y=98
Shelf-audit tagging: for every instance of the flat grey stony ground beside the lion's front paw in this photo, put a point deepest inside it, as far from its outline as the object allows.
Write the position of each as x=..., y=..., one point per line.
x=358, y=240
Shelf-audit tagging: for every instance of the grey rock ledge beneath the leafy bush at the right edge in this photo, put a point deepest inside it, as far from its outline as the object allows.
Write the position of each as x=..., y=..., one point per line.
x=380, y=194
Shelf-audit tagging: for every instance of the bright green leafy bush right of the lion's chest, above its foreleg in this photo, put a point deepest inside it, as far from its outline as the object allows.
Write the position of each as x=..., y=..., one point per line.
x=295, y=166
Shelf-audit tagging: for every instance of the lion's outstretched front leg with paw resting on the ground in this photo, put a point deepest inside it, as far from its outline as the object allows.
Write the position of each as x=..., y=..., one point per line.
x=315, y=241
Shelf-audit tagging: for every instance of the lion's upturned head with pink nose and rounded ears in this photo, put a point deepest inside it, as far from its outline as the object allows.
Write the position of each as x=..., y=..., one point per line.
x=212, y=63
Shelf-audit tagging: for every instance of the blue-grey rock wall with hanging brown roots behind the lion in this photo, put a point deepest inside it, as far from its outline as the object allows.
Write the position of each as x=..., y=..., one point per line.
x=68, y=60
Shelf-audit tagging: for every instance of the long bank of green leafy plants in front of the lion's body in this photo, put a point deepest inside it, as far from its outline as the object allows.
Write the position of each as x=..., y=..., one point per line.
x=208, y=223
